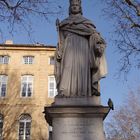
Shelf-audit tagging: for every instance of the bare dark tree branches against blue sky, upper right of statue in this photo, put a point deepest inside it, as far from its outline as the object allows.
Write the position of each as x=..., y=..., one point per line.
x=125, y=15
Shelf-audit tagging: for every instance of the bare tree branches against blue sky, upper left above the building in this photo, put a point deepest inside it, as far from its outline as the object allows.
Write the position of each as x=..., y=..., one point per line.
x=21, y=12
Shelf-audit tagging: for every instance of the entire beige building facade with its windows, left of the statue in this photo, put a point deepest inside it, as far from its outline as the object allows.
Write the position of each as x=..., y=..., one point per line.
x=27, y=84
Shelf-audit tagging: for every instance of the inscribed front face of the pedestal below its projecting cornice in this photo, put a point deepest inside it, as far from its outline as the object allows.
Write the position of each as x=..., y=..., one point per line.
x=78, y=129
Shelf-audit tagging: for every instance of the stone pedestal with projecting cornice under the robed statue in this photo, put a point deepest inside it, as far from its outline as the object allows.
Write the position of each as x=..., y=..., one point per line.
x=76, y=120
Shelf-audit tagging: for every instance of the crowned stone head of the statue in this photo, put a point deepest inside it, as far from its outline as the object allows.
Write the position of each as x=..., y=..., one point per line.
x=75, y=7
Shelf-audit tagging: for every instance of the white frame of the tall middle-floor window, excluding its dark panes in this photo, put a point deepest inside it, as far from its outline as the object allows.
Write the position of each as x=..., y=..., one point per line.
x=27, y=88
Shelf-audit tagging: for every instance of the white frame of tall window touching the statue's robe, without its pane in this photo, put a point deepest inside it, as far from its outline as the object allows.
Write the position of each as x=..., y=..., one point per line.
x=54, y=87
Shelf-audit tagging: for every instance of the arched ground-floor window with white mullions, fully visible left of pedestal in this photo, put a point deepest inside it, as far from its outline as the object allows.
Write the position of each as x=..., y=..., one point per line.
x=24, y=127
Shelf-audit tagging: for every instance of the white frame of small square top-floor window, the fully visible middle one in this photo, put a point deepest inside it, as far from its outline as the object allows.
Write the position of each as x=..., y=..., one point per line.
x=28, y=57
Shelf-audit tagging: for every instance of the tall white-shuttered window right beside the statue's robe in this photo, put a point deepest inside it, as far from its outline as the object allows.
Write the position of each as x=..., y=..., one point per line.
x=52, y=91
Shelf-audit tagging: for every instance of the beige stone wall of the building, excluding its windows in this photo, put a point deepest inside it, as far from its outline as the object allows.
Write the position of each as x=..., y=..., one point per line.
x=13, y=105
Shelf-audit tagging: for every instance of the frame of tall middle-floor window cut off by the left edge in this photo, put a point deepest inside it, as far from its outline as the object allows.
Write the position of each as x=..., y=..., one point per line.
x=5, y=82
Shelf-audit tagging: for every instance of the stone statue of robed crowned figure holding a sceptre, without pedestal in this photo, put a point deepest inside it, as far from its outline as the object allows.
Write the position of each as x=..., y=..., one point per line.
x=80, y=61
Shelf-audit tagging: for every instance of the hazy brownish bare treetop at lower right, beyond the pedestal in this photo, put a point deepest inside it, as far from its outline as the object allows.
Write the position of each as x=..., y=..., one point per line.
x=125, y=123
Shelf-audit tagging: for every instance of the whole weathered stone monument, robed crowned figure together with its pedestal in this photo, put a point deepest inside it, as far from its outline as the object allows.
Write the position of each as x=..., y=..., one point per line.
x=77, y=113
